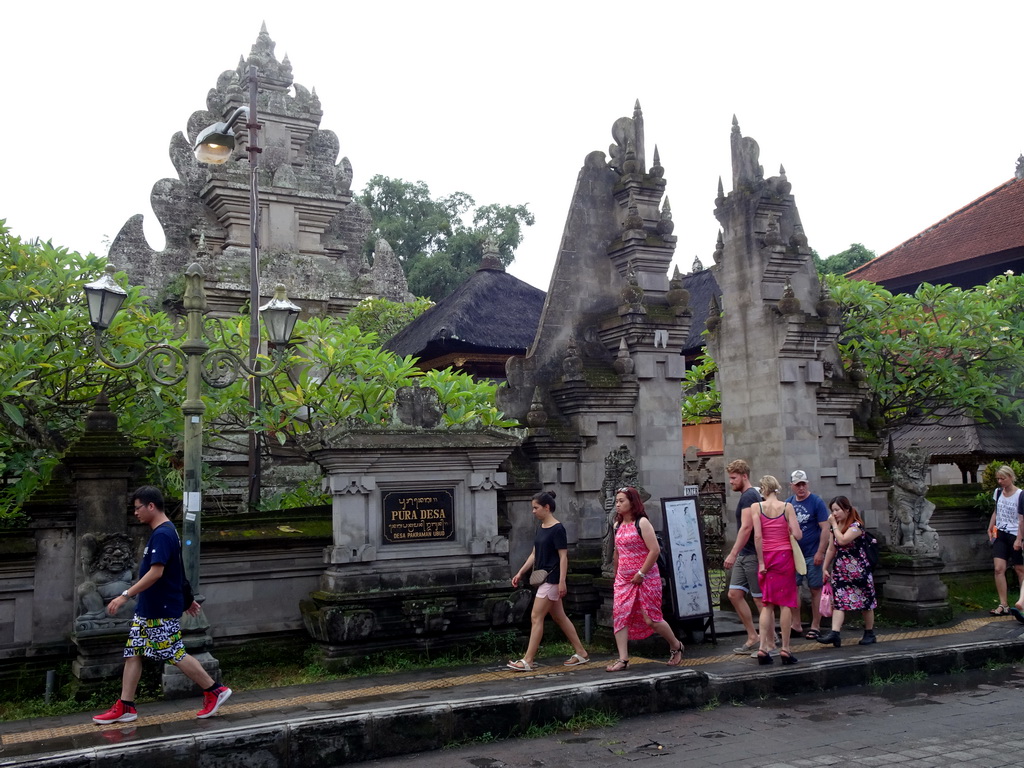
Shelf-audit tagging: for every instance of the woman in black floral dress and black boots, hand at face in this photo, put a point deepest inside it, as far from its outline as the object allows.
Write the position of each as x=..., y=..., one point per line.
x=849, y=572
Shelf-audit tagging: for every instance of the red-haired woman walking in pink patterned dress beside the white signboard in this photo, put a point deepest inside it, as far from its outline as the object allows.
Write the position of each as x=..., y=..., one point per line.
x=637, y=598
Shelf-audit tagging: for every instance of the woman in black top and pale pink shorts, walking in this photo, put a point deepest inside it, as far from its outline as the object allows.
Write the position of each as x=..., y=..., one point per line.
x=550, y=554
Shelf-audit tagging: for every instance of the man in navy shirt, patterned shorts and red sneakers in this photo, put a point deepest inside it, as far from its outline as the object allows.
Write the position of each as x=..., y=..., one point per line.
x=156, y=628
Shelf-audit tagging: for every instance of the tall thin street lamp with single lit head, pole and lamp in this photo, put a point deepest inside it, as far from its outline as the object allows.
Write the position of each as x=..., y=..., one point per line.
x=215, y=146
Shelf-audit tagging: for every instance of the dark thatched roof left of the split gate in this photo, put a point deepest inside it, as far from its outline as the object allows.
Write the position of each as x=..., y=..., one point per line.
x=492, y=312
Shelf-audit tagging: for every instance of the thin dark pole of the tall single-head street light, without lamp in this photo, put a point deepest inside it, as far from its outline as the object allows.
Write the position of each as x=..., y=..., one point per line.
x=254, y=382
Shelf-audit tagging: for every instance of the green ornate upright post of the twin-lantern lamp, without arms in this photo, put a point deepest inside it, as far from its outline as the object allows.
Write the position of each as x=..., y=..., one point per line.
x=193, y=409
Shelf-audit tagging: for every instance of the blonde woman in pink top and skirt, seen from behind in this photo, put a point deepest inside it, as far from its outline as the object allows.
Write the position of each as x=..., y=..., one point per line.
x=775, y=523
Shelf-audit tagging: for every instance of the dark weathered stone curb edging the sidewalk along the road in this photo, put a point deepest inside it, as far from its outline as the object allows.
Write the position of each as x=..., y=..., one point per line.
x=389, y=731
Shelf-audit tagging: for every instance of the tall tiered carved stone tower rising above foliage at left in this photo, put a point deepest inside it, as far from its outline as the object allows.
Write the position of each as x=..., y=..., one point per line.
x=312, y=232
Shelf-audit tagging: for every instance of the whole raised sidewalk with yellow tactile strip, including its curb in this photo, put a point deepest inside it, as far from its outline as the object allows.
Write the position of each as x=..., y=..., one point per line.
x=361, y=719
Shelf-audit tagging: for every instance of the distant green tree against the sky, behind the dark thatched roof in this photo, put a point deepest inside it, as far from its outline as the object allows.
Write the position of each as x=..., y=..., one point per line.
x=438, y=249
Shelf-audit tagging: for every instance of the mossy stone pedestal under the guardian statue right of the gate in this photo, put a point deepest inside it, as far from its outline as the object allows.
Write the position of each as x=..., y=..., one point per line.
x=914, y=591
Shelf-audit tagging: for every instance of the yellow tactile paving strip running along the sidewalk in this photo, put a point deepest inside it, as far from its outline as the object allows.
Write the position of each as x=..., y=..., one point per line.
x=969, y=625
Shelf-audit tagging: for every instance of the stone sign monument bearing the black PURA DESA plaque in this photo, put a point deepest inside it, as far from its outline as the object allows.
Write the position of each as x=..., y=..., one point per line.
x=417, y=561
